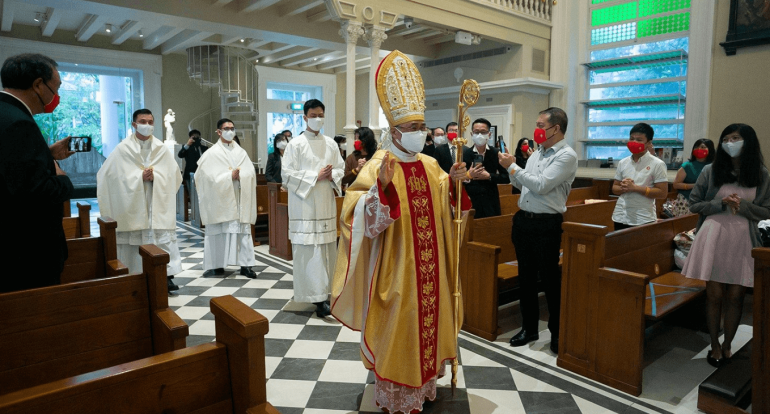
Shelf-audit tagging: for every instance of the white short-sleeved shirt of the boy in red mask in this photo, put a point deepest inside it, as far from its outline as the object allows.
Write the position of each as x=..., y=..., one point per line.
x=634, y=209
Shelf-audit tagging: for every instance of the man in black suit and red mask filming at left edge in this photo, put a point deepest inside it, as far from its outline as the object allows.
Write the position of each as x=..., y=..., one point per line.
x=32, y=186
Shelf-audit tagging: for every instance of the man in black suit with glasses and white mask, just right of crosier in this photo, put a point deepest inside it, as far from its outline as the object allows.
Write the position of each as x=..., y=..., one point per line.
x=487, y=174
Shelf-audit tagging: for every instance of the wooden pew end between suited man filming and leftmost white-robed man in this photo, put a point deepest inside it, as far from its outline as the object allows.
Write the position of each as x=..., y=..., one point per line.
x=94, y=257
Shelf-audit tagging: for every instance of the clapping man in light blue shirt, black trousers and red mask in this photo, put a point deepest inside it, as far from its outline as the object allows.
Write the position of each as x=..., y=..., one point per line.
x=545, y=184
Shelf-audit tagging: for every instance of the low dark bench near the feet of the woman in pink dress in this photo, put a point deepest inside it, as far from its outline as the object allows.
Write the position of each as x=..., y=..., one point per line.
x=724, y=390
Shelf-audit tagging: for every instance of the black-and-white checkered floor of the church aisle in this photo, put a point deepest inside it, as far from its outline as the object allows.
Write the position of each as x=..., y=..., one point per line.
x=313, y=364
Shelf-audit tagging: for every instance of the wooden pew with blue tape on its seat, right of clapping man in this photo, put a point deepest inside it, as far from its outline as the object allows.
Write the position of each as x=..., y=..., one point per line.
x=611, y=283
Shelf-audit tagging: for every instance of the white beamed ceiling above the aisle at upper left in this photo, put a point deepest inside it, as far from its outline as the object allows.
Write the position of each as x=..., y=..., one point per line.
x=273, y=31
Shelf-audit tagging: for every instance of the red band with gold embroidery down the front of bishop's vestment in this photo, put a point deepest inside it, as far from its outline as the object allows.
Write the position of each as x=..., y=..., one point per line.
x=425, y=248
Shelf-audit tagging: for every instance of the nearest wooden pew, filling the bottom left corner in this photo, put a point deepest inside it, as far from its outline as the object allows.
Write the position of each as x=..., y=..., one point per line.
x=226, y=376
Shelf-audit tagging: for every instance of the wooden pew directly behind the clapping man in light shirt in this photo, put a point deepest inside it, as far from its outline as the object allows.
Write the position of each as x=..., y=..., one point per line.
x=489, y=269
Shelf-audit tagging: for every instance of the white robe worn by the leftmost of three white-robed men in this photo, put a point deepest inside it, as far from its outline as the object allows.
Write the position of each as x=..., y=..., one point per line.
x=145, y=210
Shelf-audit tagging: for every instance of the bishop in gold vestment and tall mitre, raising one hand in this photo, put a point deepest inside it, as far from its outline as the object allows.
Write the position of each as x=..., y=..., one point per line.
x=394, y=275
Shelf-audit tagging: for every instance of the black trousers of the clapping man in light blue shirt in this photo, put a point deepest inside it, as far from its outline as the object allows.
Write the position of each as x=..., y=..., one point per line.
x=537, y=241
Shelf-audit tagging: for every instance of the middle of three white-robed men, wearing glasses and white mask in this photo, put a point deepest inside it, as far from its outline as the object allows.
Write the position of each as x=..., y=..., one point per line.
x=227, y=193
